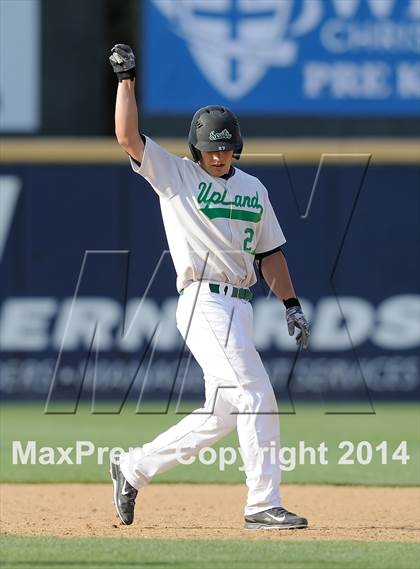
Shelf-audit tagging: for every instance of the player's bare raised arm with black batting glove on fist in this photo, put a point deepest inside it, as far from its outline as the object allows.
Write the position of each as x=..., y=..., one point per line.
x=126, y=115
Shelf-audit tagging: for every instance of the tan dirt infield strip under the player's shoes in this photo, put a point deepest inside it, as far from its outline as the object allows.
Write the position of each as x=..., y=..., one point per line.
x=193, y=511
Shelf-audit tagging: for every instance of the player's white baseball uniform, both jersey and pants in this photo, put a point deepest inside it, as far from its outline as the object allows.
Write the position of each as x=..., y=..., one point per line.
x=215, y=227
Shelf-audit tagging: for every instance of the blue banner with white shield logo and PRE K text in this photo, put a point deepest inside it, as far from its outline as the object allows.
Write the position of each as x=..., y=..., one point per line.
x=284, y=57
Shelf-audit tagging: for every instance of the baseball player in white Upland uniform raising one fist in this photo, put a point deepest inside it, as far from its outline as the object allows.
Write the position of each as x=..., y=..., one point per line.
x=218, y=222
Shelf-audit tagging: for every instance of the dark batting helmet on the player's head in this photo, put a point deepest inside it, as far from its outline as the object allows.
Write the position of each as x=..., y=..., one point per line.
x=215, y=128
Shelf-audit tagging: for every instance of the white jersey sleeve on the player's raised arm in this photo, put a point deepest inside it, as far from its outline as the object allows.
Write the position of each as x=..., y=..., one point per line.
x=163, y=170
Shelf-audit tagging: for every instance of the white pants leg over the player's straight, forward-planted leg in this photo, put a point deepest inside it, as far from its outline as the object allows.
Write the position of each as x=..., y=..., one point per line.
x=220, y=336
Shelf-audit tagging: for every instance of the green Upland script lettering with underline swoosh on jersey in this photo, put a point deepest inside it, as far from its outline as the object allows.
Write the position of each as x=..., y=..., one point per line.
x=234, y=210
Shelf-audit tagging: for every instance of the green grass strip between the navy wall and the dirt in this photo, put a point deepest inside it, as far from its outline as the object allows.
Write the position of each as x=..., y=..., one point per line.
x=391, y=423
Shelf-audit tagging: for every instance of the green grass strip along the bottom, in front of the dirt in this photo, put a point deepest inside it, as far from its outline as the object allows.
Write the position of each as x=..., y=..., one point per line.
x=31, y=552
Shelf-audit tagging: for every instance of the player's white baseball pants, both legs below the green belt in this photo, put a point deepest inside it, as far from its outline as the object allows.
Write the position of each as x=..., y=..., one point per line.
x=218, y=330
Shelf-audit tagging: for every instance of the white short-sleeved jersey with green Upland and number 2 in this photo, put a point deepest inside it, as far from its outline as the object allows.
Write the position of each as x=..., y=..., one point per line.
x=214, y=226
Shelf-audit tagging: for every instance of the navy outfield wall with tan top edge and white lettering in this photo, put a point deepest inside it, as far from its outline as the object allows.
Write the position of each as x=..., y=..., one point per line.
x=82, y=240
